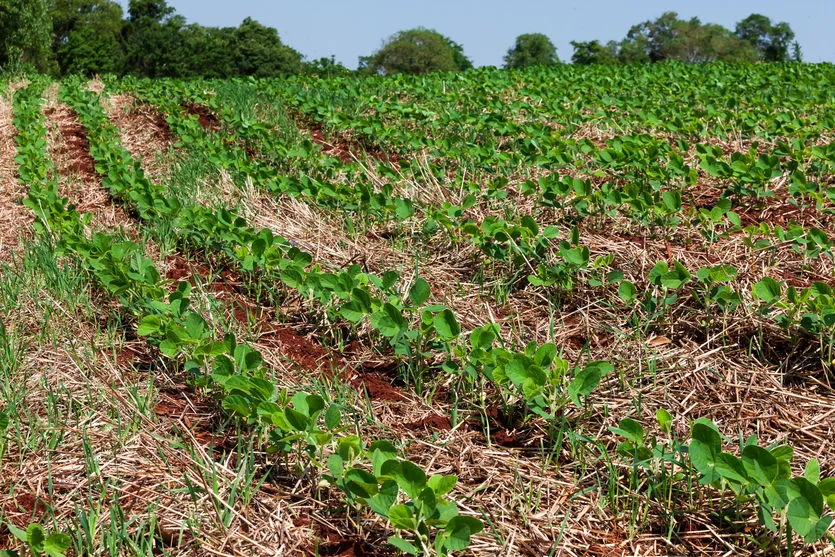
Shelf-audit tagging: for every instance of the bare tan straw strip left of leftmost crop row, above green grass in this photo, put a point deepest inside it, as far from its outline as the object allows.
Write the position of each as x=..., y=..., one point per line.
x=14, y=217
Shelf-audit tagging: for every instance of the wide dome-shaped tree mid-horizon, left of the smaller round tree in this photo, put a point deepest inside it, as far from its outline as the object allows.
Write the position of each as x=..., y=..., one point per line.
x=416, y=51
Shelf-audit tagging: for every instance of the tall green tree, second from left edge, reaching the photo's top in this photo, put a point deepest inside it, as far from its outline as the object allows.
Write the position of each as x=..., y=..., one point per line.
x=86, y=36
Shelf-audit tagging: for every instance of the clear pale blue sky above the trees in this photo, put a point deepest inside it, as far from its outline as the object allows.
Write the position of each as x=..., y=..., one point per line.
x=487, y=28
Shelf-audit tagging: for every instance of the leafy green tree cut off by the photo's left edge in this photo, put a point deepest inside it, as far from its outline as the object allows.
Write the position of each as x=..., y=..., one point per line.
x=25, y=35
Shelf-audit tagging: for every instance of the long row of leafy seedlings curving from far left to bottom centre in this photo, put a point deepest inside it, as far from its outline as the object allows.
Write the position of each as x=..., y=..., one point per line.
x=369, y=475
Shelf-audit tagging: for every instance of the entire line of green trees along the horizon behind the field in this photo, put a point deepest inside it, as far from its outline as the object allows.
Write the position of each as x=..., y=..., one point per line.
x=62, y=37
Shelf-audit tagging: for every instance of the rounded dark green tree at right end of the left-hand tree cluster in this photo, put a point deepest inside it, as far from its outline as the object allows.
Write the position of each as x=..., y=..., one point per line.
x=258, y=51
